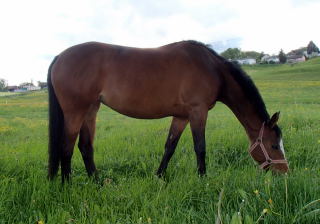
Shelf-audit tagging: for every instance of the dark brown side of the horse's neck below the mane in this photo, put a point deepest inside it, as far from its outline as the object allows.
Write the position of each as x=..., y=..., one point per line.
x=243, y=109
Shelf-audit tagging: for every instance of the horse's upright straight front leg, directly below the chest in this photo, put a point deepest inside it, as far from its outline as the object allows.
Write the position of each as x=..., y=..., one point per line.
x=198, y=118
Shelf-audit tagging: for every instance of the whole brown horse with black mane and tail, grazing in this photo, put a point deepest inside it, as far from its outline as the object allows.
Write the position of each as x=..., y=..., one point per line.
x=183, y=80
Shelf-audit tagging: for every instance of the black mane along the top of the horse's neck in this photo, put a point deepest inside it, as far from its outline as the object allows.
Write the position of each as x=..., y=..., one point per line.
x=249, y=88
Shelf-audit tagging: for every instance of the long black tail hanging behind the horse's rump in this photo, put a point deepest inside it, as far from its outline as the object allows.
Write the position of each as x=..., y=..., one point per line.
x=56, y=123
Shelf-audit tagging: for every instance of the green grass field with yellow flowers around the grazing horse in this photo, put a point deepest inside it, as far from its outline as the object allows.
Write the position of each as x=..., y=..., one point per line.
x=128, y=152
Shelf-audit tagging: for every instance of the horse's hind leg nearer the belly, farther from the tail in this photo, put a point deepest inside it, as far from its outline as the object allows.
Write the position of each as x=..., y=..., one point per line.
x=87, y=137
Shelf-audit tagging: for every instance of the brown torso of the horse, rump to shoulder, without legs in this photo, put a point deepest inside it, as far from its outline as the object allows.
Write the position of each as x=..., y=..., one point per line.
x=143, y=83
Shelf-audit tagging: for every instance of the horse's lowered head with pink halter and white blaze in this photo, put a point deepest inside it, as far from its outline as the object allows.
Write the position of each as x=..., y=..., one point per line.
x=268, y=149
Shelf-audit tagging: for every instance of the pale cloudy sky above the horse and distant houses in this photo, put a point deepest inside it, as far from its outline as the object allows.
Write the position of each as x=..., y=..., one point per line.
x=32, y=32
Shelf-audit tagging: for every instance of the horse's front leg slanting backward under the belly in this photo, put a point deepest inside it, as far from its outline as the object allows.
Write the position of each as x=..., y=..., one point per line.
x=176, y=129
